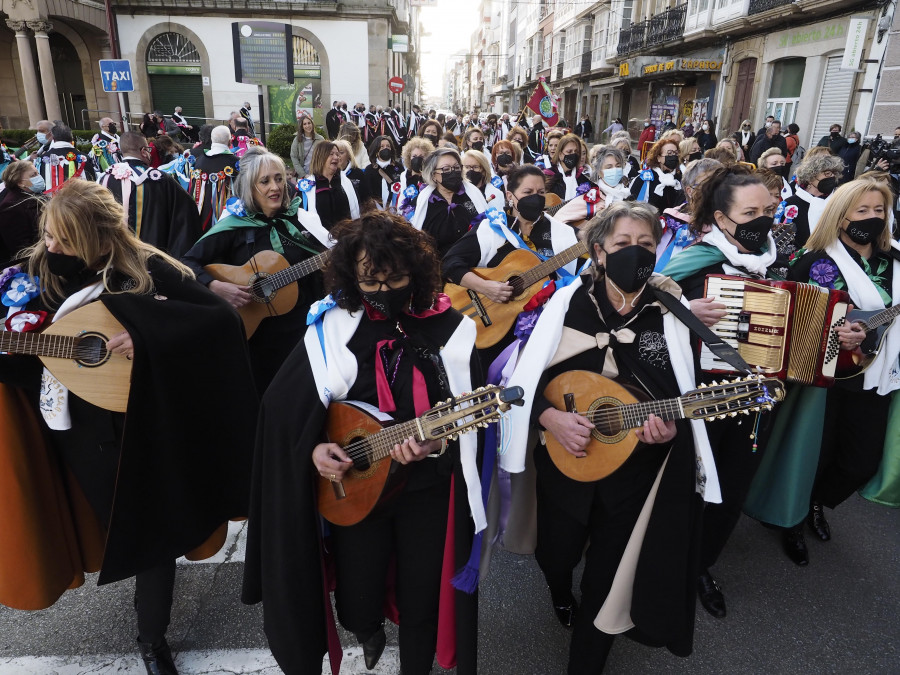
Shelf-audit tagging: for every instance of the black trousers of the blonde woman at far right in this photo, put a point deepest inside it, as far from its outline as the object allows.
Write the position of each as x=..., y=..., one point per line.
x=852, y=443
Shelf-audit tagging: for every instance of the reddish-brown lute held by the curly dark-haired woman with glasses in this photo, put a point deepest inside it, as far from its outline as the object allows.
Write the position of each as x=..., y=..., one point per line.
x=371, y=482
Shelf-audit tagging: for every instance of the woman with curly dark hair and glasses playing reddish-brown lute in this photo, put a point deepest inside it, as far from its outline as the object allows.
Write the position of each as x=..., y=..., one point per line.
x=388, y=338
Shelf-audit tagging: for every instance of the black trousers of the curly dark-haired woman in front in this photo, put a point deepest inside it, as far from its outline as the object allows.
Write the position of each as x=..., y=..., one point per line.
x=411, y=532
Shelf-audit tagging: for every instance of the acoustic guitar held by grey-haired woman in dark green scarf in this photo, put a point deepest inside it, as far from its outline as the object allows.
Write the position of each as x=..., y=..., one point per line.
x=271, y=280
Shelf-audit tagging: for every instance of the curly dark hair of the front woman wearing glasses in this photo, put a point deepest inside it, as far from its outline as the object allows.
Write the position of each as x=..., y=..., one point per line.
x=390, y=244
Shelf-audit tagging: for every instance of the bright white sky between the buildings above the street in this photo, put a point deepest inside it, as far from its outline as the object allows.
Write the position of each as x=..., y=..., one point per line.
x=450, y=24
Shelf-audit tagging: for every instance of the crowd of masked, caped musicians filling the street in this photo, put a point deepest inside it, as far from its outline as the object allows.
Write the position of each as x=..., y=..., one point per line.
x=364, y=233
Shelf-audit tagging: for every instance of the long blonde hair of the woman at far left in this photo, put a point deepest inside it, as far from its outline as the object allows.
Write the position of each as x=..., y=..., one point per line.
x=94, y=226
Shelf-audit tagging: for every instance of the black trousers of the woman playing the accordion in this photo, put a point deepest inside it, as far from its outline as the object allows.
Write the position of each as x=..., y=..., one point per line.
x=736, y=465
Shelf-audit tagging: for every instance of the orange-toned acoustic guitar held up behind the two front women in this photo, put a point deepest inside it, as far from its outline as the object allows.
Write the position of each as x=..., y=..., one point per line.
x=523, y=270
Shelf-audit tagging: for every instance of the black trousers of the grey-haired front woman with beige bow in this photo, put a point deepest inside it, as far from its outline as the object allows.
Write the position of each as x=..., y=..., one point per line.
x=571, y=514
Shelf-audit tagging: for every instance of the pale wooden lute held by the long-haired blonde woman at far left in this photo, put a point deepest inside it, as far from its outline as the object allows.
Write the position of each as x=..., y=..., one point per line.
x=74, y=350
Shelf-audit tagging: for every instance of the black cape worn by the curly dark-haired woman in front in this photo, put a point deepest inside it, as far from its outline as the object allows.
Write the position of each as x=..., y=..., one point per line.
x=284, y=558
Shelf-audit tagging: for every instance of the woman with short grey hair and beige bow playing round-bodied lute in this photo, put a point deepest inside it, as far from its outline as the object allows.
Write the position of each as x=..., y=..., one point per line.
x=610, y=322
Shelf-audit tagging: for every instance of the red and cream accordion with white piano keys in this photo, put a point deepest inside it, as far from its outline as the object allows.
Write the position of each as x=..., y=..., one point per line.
x=783, y=328
